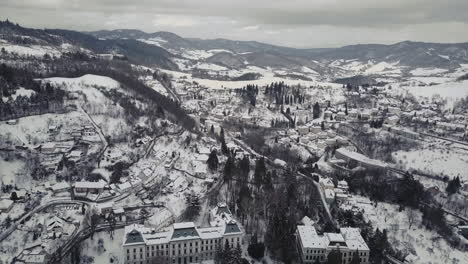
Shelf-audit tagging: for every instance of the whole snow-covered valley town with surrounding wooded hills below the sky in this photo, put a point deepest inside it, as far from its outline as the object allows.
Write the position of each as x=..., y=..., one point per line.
x=126, y=147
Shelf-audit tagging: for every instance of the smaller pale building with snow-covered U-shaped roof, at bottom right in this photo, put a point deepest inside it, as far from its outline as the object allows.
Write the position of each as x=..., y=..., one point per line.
x=313, y=247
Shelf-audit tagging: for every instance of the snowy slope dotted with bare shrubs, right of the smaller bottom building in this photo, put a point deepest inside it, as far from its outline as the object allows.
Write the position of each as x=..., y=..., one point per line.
x=429, y=247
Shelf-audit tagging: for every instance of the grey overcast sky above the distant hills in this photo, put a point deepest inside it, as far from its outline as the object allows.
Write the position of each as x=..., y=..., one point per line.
x=296, y=23
